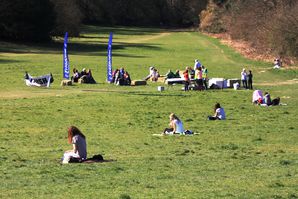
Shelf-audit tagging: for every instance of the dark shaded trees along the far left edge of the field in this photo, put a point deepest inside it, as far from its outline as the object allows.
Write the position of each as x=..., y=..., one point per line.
x=37, y=20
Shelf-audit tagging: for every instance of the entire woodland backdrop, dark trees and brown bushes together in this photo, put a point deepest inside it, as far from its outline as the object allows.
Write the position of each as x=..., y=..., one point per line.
x=270, y=25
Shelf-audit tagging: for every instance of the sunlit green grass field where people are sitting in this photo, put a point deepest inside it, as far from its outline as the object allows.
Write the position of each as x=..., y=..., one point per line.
x=253, y=154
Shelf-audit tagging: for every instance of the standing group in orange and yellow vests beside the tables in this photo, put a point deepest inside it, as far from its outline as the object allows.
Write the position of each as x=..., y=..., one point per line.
x=198, y=74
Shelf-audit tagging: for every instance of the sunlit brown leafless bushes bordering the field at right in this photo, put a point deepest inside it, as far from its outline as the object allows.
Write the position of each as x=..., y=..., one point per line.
x=271, y=26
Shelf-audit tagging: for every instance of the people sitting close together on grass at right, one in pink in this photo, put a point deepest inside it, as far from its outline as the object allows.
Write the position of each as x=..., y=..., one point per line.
x=264, y=100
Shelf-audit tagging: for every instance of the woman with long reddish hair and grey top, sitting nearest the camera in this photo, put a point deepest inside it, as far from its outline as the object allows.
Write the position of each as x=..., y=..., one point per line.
x=78, y=141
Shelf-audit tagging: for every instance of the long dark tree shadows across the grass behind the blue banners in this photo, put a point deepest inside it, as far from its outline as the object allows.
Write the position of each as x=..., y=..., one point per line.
x=90, y=48
